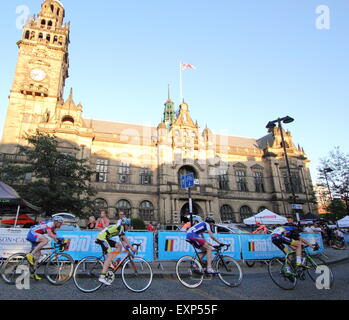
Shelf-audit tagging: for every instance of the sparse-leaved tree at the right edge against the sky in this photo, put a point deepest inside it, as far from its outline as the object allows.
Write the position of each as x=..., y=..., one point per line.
x=336, y=168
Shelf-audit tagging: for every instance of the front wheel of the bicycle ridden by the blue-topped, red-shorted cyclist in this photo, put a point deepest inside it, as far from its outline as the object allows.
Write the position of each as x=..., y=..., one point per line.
x=229, y=270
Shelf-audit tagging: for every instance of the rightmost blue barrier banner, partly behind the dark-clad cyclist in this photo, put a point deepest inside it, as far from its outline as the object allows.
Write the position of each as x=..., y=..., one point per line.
x=260, y=247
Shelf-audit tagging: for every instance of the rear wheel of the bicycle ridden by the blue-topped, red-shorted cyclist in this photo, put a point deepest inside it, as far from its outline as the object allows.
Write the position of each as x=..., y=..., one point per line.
x=189, y=272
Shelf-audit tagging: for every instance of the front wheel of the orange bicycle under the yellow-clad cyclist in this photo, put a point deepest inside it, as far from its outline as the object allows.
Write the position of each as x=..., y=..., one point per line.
x=137, y=274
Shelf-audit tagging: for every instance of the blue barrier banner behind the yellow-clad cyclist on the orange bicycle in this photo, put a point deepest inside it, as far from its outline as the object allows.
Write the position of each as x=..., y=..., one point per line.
x=82, y=244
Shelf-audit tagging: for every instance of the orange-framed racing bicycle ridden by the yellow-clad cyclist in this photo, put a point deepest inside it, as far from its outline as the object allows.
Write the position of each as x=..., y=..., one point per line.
x=136, y=273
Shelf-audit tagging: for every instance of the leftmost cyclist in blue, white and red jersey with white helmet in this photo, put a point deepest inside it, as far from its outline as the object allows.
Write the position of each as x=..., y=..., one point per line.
x=39, y=237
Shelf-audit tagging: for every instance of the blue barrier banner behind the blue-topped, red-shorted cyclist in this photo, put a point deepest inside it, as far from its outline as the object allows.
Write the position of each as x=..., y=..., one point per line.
x=172, y=245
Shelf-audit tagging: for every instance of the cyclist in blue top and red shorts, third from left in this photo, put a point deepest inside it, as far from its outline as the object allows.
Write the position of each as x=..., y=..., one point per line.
x=195, y=236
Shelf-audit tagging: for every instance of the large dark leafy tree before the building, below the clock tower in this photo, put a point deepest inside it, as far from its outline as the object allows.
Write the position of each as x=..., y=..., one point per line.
x=61, y=183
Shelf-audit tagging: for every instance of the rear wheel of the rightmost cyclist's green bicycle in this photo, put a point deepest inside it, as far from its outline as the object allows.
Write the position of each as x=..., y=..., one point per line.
x=283, y=278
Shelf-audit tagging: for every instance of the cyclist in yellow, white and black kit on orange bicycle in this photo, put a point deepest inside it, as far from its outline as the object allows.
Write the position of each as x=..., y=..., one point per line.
x=104, y=240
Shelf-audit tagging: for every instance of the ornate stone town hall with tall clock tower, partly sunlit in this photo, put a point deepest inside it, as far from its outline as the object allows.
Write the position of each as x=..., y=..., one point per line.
x=138, y=167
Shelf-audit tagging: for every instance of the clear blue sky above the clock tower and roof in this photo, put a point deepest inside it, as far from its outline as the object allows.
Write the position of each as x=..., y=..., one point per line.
x=256, y=61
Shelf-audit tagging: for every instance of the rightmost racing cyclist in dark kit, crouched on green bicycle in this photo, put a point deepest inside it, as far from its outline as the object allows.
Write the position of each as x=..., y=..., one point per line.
x=290, y=236
